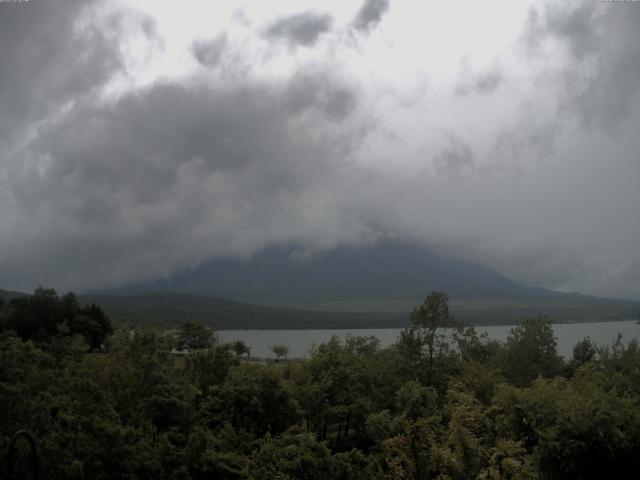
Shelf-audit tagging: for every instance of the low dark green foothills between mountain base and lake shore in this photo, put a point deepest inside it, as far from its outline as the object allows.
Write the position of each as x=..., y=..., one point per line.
x=173, y=308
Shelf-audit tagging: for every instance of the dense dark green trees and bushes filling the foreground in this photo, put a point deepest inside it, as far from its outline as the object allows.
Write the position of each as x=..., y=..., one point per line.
x=442, y=403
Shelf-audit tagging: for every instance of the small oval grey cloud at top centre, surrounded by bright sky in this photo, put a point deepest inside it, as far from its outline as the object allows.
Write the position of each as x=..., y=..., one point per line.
x=301, y=29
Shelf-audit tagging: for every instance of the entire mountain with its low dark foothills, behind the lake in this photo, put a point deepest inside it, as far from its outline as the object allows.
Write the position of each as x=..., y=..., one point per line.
x=346, y=288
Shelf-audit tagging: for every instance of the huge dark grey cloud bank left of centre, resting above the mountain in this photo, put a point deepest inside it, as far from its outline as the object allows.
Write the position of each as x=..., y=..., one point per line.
x=166, y=177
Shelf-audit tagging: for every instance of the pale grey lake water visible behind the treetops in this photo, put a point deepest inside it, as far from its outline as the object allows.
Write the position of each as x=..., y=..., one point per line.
x=301, y=341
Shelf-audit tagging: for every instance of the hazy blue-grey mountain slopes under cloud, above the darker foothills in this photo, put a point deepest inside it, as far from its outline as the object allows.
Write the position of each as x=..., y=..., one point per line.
x=389, y=270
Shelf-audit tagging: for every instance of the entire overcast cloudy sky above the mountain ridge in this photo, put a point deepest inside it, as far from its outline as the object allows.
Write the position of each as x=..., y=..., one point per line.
x=141, y=138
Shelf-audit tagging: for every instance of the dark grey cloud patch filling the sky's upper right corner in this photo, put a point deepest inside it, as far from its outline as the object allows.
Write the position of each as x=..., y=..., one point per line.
x=601, y=78
